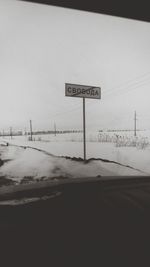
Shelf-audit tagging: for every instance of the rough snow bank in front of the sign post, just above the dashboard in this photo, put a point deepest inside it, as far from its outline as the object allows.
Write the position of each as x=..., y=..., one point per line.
x=36, y=164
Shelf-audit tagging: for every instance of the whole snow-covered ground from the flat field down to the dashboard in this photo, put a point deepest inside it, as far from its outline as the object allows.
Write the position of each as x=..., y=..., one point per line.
x=44, y=158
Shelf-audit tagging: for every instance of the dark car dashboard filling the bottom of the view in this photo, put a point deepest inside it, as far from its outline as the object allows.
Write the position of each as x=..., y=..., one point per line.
x=99, y=223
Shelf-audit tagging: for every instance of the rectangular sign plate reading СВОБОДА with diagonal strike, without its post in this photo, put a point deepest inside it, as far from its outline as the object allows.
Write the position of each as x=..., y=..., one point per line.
x=76, y=90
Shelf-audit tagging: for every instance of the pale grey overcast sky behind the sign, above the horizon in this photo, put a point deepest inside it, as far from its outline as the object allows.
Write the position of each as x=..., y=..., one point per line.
x=43, y=47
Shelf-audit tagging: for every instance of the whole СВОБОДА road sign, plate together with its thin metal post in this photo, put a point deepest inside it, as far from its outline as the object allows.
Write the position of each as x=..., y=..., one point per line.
x=83, y=91
